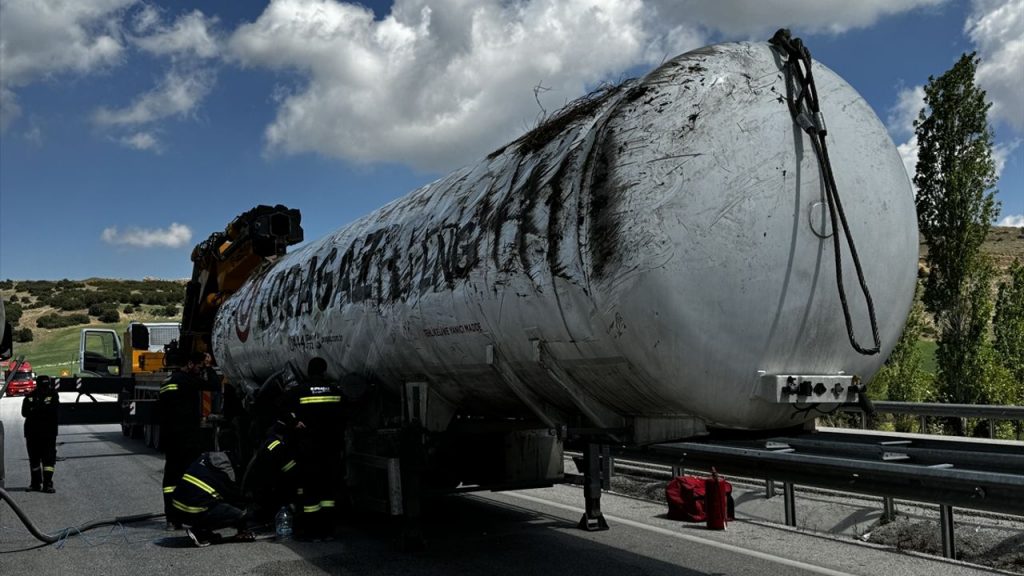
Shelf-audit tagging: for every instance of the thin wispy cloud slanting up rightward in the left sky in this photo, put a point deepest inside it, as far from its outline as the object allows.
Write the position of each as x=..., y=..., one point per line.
x=179, y=94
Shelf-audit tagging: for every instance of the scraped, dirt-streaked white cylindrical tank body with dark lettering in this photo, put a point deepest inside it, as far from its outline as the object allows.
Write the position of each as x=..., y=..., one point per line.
x=665, y=240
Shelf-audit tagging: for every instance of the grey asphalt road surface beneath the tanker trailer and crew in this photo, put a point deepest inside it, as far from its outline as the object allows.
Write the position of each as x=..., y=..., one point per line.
x=102, y=475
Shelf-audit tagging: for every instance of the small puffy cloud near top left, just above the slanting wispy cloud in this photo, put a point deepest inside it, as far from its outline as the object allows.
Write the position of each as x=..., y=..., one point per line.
x=192, y=35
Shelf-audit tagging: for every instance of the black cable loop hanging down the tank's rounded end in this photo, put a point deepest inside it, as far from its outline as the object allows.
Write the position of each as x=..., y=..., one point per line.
x=802, y=96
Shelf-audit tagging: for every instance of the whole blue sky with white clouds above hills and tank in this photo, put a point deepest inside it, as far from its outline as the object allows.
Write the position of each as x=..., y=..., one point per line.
x=131, y=131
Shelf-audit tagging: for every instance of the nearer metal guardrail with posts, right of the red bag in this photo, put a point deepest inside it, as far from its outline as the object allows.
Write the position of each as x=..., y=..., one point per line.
x=952, y=474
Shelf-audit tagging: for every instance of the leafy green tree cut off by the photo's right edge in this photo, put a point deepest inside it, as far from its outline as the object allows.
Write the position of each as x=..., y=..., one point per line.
x=1009, y=326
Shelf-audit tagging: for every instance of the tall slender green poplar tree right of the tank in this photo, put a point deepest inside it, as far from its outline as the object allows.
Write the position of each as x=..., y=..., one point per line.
x=956, y=180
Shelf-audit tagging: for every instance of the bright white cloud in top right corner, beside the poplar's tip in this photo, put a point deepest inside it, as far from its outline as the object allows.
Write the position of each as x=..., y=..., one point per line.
x=997, y=28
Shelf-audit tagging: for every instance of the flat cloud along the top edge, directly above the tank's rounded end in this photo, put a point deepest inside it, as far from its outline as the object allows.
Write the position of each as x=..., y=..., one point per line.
x=743, y=19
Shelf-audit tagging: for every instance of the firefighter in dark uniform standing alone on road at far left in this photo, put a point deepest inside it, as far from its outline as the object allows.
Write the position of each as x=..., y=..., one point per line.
x=40, y=412
